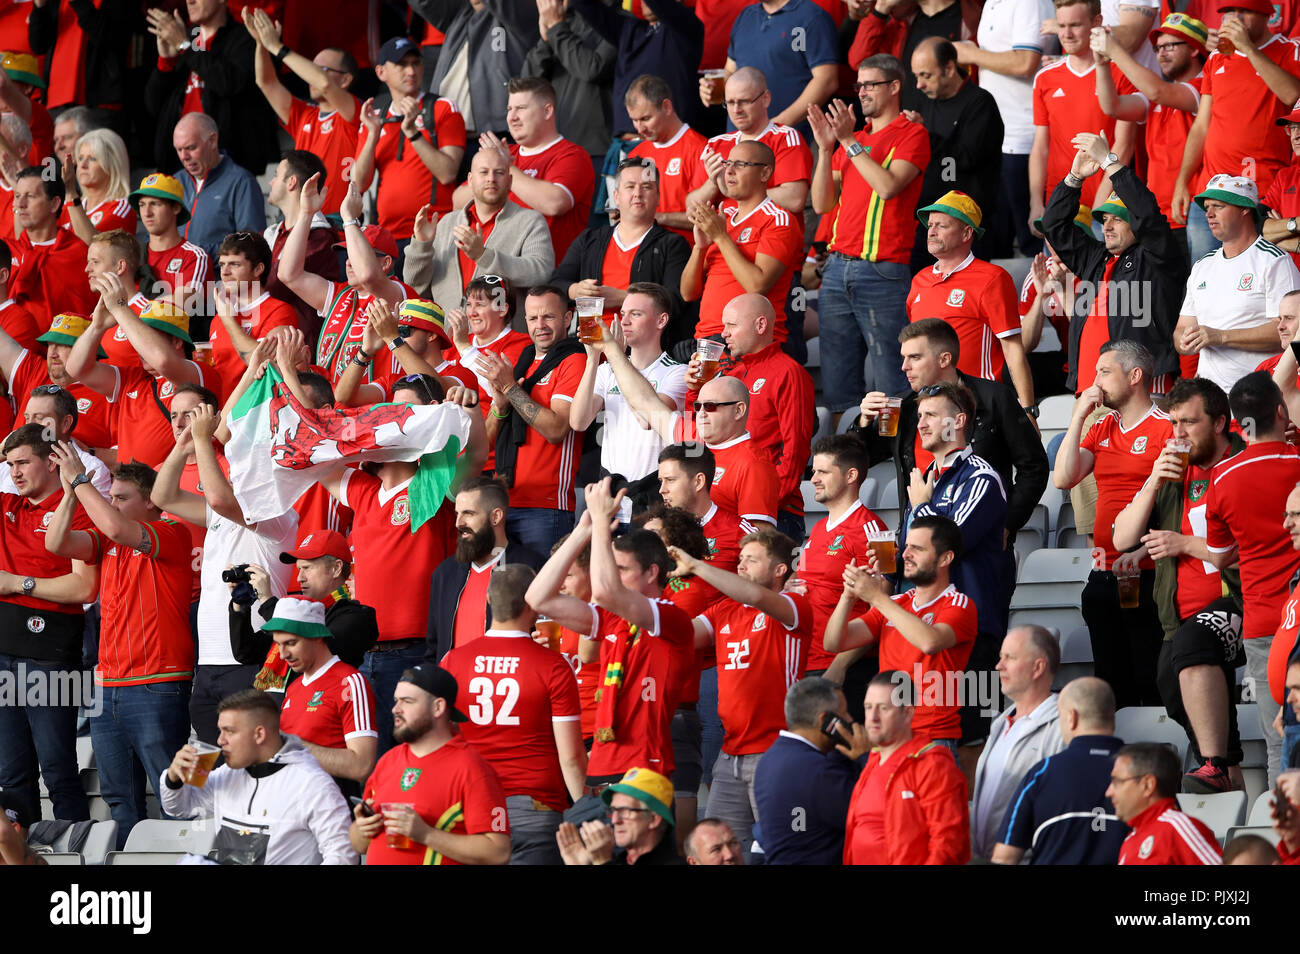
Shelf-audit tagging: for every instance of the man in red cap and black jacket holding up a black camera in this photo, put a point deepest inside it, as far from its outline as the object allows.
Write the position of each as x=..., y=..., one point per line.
x=324, y=563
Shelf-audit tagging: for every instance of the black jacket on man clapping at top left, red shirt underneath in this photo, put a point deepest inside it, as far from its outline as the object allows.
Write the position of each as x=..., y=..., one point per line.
x=246, y=127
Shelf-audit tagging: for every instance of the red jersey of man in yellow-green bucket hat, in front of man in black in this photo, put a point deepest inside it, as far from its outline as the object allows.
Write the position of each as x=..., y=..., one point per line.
x=978, y=300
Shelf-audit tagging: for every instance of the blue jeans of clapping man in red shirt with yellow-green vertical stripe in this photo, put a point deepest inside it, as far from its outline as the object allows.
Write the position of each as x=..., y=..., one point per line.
x=863, y=307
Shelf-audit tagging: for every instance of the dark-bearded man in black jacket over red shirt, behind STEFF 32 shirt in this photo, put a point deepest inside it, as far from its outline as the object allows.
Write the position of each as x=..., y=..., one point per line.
x=458, y=596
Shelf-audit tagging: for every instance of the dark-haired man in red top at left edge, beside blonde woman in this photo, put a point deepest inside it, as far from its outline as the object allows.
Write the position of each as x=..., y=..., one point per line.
x=49, y=263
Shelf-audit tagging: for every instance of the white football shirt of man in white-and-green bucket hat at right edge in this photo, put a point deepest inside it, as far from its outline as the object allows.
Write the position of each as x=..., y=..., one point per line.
x=1230, y=294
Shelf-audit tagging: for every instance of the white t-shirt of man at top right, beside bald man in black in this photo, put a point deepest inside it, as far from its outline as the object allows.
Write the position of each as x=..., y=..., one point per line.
x=1008, y=25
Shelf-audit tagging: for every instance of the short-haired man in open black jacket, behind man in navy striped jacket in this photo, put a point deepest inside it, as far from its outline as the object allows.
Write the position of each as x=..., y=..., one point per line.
x=1003, y=435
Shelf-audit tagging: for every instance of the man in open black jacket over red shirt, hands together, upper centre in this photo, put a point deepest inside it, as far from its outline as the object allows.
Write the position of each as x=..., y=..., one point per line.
x=597, y=263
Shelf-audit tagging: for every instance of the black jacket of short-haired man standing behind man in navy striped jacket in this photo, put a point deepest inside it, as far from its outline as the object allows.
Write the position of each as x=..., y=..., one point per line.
x=1003, y=436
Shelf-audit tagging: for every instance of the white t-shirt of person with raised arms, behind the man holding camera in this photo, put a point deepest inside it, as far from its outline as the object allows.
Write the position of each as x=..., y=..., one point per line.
x=229, y=544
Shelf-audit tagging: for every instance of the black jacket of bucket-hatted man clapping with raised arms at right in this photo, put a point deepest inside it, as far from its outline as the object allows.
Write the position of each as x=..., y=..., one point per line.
x=1149, y=281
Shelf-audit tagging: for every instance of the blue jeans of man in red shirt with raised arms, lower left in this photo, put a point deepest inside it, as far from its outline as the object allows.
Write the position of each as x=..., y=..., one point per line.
x=136, y=738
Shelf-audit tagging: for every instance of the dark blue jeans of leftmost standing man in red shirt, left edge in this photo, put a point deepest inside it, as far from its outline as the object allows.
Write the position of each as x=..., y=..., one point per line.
x=40, y=740
